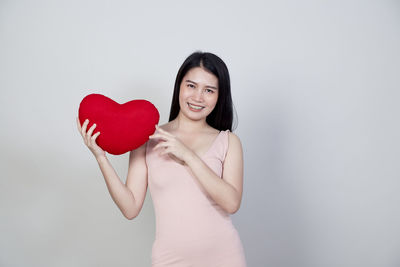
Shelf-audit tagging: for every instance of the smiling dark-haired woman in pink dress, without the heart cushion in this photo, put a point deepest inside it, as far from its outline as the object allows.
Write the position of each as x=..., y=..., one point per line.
x=194, y=167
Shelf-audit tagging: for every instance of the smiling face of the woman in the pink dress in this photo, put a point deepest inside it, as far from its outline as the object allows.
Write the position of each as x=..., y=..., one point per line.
x=198, y=93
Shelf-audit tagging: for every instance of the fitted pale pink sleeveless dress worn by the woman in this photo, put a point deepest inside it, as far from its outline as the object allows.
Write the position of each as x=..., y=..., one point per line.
x=192, y=230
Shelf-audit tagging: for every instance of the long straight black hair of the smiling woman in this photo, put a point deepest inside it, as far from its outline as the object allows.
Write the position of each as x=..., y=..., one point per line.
x=221, y=117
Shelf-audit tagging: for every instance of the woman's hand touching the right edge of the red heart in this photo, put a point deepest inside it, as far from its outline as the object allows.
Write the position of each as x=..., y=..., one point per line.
x=171, y=144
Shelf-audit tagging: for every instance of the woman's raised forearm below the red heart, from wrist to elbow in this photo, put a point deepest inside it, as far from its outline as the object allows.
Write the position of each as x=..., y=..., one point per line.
x=120, y=193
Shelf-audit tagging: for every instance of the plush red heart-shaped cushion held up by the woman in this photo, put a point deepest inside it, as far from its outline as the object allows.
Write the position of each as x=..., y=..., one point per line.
x=122, y=127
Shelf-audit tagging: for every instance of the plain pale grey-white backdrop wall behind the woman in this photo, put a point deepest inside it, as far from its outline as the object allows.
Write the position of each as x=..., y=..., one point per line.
x=316, y=88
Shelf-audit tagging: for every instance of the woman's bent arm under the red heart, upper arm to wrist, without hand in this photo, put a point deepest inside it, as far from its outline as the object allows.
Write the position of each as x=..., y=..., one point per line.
x=128, y=197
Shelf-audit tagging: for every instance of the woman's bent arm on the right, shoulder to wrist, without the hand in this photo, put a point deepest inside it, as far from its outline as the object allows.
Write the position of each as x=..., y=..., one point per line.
x=226, y=192
